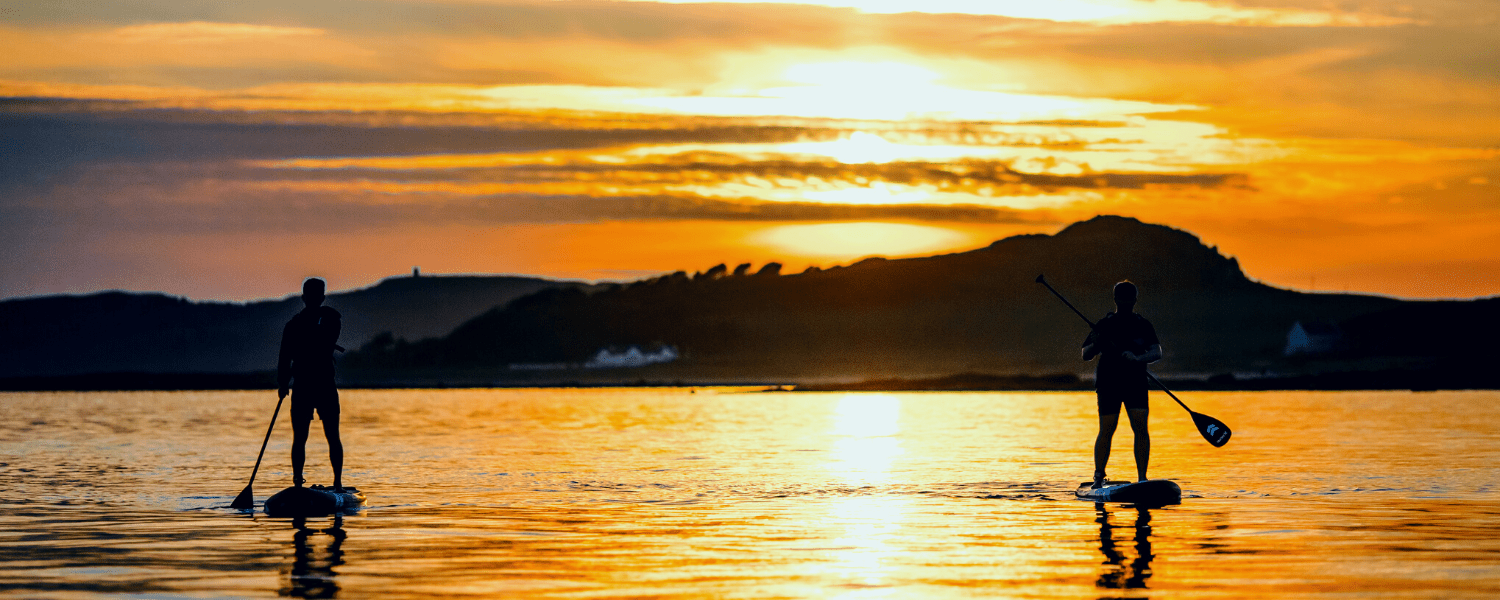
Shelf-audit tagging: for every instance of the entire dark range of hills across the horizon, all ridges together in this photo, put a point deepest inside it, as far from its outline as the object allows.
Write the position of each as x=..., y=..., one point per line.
x=974, y=313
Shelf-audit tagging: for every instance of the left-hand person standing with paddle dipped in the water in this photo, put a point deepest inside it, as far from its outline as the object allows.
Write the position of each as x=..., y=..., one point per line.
x=307, y=364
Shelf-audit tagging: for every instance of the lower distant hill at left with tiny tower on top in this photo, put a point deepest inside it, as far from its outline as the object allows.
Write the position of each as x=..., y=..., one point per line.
x=130, y=332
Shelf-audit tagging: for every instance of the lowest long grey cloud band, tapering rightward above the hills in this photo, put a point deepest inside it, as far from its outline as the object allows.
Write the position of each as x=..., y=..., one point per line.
x=106, y=205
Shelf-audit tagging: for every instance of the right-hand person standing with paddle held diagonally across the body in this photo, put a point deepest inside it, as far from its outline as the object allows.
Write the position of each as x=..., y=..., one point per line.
x=1126, y=343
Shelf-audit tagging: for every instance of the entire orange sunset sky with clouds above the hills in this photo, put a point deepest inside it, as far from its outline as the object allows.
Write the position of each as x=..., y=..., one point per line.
x=227, y=151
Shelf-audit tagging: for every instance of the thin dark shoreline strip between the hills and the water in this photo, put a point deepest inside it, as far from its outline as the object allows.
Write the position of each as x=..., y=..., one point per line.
x=1417, y=380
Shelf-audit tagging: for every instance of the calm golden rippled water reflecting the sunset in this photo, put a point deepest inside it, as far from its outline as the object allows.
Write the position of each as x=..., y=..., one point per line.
x=581, y=494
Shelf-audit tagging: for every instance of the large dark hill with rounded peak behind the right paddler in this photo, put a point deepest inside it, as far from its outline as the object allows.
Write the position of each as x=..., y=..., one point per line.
x=974, y=311
